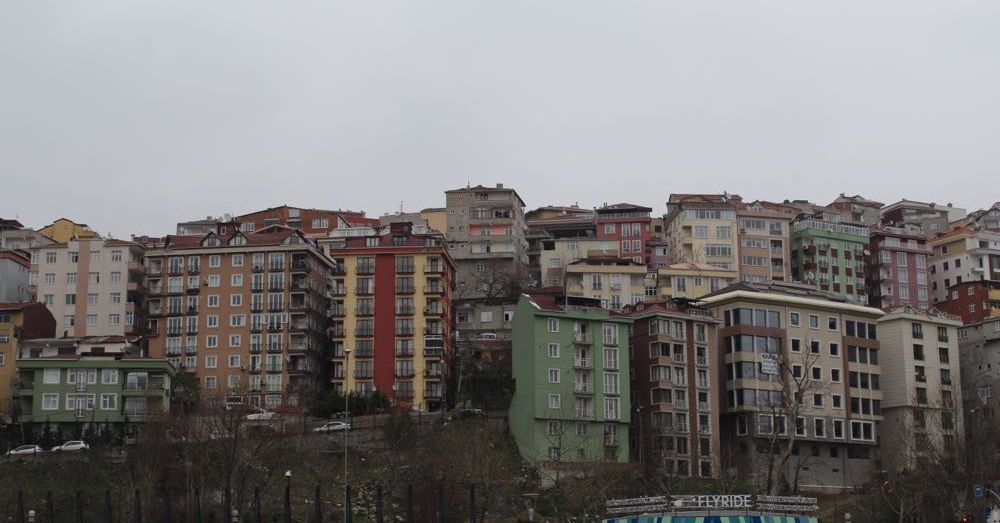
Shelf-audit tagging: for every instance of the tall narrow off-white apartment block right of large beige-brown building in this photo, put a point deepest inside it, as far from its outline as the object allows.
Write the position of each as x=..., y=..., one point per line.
x=922, y=388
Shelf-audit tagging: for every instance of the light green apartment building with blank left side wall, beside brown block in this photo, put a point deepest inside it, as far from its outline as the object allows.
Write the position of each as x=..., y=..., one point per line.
x=570, y=367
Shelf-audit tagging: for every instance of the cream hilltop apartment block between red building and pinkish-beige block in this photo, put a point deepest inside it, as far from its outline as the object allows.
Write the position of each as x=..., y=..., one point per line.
x=703, y=228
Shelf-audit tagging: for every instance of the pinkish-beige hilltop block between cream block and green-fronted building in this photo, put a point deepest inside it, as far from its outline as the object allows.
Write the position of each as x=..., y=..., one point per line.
x=765, y=249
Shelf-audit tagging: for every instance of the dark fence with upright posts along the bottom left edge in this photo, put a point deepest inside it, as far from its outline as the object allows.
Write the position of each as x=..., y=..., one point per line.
x=77, y=508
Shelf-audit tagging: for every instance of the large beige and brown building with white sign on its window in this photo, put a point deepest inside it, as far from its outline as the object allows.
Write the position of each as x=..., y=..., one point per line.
x=799, y=369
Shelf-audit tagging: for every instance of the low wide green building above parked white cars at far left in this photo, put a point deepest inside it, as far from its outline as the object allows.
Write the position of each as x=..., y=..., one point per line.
x=73, y=391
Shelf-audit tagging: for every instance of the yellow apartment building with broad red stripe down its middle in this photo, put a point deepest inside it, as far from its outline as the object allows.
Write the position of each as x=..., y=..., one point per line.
x=392, y=290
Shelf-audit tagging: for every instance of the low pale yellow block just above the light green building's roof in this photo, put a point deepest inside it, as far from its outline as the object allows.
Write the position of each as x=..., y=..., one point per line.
x=614, y=281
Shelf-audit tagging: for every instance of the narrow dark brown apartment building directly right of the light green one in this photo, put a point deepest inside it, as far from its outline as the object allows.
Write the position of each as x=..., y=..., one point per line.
x=674, y=366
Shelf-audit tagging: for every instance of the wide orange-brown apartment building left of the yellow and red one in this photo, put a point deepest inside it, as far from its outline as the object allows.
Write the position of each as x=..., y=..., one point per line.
x=245, y=312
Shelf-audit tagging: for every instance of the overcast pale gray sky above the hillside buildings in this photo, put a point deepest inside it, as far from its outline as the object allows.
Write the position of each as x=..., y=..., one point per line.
x=133, y=115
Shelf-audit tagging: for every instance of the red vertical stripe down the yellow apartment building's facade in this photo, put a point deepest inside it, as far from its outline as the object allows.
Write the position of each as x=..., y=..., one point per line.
x=385, y=323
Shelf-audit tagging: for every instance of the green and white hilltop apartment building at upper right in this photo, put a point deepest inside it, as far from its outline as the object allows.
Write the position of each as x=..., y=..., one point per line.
x=831, y=257
